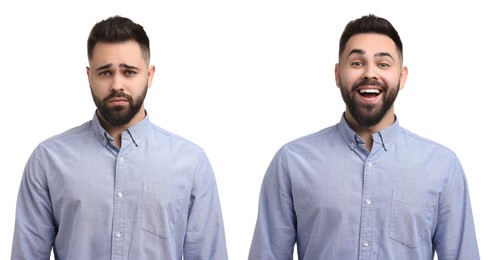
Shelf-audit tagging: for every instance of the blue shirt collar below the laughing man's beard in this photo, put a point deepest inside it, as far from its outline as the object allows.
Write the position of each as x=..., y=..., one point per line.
x=385, y=137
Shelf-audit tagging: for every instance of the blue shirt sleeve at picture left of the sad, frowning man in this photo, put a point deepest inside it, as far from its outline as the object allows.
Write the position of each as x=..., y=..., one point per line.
x=34, y=230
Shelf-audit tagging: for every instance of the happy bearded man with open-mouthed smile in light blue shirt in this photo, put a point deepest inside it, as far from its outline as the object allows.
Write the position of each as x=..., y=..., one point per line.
x=365, y=188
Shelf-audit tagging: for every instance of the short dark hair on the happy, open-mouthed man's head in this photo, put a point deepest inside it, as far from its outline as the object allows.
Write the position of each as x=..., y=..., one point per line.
x=370, y=24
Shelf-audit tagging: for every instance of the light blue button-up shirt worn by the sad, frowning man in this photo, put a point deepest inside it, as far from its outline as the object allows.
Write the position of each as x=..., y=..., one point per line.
x=154, y=198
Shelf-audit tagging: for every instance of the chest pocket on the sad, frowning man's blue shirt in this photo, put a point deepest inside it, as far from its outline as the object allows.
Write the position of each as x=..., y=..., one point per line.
x=162, y=206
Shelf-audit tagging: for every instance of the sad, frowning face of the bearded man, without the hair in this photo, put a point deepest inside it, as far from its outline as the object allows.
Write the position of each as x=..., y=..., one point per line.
x=119, y=78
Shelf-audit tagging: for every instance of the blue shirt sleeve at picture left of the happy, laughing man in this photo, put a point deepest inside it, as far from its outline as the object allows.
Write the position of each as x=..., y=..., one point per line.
x=275, y=231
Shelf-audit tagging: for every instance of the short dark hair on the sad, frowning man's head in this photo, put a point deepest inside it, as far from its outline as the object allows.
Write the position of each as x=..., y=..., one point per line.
x=118, y=29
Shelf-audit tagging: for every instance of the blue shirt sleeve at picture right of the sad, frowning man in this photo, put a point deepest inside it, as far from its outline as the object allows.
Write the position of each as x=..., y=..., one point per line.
x=205, y=235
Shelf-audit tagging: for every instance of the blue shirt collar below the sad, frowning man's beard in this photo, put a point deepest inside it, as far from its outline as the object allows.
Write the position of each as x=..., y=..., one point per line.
x=136, y=132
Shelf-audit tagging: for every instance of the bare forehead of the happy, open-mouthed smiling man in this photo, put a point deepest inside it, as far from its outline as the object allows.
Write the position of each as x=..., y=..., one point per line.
x=371, y=44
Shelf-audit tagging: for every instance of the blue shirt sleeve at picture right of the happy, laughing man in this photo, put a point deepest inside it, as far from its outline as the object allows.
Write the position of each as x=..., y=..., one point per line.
x=455, y=236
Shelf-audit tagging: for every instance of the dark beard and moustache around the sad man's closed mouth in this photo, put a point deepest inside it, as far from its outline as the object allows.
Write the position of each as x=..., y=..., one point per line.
x=119, y=115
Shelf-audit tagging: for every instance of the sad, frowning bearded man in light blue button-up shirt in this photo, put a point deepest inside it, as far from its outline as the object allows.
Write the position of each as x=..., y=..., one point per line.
x=118, y=186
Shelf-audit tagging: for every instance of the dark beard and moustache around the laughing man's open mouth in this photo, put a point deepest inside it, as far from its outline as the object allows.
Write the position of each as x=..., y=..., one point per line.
x=367, y=115
